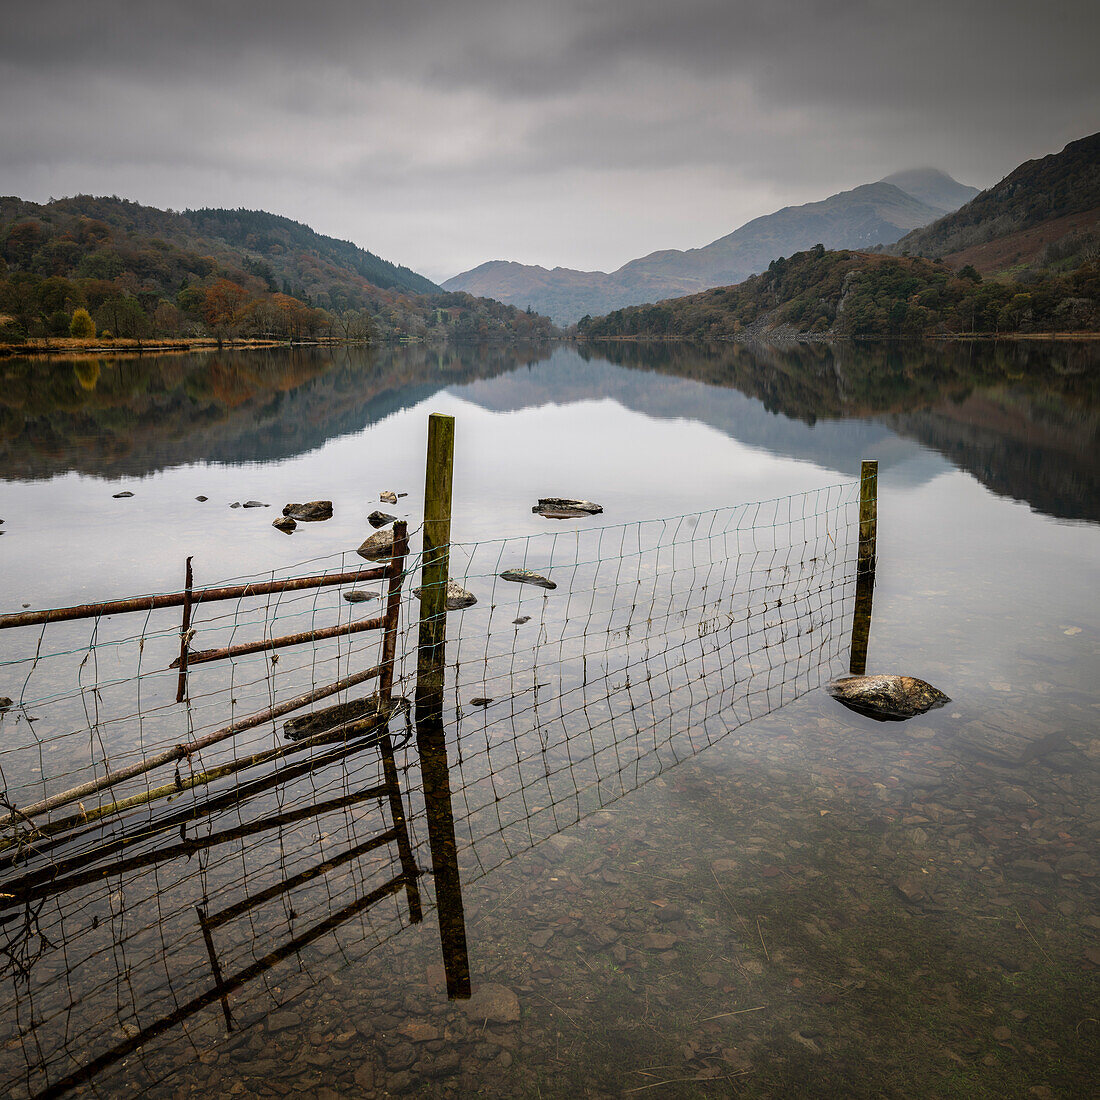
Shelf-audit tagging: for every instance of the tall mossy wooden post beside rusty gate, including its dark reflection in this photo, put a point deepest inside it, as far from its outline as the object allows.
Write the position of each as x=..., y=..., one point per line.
x=432, y=741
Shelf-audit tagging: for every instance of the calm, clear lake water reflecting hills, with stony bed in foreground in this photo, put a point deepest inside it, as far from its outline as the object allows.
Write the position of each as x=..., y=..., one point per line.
x=685, y=873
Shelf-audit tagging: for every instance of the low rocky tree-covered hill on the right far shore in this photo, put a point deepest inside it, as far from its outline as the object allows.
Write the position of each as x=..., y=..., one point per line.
x=859, y=294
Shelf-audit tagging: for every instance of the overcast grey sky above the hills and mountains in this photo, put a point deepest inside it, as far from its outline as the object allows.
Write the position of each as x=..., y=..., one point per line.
x=573, y=133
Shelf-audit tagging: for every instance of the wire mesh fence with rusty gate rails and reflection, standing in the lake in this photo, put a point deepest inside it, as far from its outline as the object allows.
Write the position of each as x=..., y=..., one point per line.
x=146, y=909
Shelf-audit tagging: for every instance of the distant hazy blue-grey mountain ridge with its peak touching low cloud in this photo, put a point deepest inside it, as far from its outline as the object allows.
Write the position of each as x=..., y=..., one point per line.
x=873, y=214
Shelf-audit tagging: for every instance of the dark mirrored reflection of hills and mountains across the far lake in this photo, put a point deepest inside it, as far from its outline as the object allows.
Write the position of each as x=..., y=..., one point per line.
x=1021, y=417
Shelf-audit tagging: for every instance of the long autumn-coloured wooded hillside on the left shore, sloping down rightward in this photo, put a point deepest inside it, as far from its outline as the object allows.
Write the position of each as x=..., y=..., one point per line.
x=138, y=272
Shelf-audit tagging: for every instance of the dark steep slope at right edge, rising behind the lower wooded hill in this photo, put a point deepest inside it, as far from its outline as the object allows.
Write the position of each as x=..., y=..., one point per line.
x=1044, y=214
